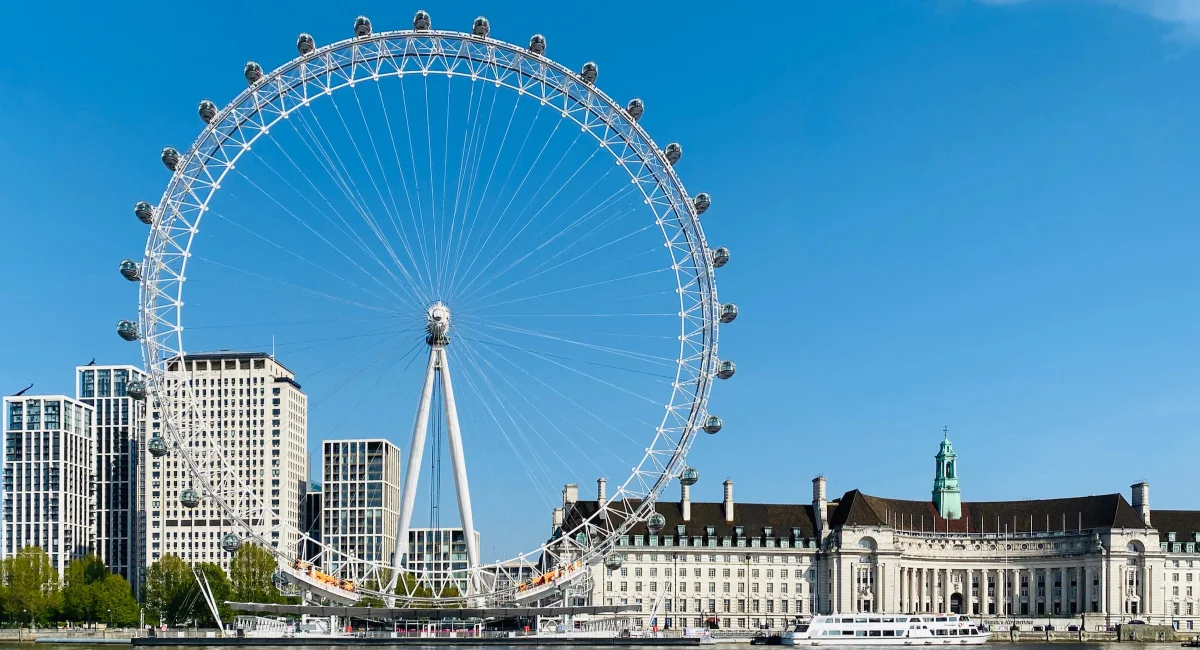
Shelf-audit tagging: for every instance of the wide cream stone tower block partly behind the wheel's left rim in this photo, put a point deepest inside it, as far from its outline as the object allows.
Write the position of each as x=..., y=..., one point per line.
x=253, y=408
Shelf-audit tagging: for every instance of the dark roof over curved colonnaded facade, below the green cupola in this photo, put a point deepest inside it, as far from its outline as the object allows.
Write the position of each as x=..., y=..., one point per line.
x=1039, y=515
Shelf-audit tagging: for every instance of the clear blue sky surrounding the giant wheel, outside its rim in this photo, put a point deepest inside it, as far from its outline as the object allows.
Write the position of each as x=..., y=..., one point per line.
x=944, y=213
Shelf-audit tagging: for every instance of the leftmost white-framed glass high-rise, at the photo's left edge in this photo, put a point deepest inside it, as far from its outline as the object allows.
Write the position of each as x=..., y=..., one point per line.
x=49, y=477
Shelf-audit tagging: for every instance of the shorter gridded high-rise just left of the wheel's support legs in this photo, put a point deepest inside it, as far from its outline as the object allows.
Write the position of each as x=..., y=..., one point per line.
x=361, y=503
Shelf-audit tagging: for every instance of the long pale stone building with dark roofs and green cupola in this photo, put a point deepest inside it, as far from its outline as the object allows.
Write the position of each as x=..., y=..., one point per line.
x=1099, y=561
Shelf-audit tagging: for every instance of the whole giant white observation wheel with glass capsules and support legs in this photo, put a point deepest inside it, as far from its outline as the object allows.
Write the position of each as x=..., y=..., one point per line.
x=398, y=204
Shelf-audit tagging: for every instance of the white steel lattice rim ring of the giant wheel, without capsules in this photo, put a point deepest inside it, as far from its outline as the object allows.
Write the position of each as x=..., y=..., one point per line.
x=196, y=438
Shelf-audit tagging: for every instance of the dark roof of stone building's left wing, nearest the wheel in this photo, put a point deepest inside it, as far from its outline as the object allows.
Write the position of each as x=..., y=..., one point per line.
x=782, y=519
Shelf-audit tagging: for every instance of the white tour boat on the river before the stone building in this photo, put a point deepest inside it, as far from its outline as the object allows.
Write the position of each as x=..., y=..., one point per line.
x=885, y=630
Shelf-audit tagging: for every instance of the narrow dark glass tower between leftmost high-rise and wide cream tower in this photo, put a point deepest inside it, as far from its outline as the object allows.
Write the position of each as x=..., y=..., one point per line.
x=118, y=430
